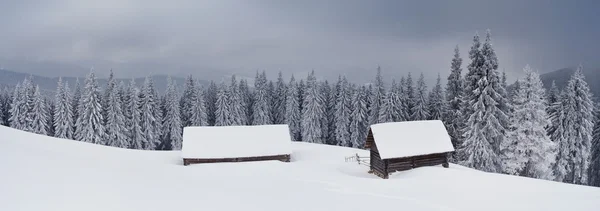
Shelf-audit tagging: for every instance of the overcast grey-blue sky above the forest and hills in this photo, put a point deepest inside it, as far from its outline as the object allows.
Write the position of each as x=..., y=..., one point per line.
x=137, y=37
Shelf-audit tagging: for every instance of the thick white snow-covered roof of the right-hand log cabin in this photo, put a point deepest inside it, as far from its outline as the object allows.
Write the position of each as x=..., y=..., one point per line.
x=411, y=138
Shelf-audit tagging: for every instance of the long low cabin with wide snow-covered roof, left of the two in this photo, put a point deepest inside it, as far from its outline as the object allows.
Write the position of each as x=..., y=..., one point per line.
x=213, y=144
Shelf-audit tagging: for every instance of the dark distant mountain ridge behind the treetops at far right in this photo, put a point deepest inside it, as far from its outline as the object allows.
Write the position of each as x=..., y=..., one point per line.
x=562, y=76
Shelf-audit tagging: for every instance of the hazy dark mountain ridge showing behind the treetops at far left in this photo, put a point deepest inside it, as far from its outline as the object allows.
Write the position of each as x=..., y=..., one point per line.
x=48, y=84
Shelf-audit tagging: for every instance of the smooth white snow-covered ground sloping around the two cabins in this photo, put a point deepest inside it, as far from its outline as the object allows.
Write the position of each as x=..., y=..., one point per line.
x=42, y=173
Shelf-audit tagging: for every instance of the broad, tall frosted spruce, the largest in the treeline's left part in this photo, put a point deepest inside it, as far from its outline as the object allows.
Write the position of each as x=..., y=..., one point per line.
x=89, y=126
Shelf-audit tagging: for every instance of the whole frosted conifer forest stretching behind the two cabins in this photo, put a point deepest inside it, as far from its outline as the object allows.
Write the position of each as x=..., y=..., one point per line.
x=532, y=132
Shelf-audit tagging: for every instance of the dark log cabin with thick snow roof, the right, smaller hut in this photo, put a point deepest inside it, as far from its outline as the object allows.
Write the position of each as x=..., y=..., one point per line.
x=399, y=146
